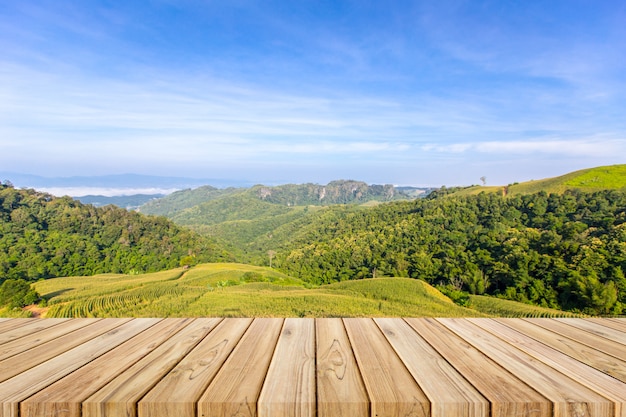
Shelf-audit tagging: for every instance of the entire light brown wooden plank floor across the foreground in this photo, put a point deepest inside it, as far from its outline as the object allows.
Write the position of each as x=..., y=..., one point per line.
x=309, y=367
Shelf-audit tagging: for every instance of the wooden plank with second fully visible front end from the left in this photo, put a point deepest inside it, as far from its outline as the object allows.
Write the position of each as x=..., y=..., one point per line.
x=120, y=396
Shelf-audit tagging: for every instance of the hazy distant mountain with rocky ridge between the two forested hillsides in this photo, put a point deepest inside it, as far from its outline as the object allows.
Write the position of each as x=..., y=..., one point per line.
x=243, y=219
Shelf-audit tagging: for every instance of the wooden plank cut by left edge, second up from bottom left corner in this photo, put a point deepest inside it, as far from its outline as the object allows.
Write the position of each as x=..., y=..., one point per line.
x=19, y=363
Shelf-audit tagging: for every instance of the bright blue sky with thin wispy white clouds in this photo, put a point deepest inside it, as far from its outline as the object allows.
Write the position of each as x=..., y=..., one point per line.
x=403, y=92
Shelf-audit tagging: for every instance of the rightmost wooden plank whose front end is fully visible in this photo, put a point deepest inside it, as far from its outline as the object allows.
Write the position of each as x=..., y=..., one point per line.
x=569, y=398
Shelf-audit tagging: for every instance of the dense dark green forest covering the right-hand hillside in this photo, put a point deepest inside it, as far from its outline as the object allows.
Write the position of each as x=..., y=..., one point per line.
x=559, y=250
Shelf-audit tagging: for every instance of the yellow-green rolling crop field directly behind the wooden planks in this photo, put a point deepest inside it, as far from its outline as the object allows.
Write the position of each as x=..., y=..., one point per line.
x=222, y=290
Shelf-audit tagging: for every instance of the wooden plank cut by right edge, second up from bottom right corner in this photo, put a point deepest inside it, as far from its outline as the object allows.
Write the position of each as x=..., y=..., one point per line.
x=599, y=360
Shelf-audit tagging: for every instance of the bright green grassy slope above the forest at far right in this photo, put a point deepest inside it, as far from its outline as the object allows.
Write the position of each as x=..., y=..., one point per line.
x=592, y=179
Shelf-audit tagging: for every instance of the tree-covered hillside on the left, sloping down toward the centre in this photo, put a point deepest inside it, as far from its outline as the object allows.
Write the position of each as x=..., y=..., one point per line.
x=42, y=236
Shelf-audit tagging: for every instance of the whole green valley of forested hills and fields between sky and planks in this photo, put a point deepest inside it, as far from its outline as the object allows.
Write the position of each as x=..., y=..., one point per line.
x=557, y=244
